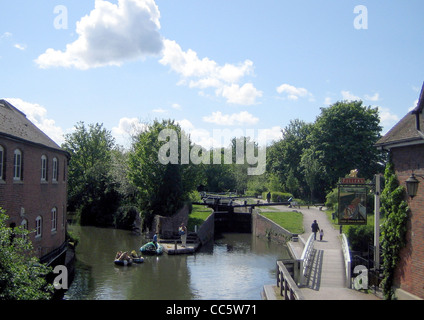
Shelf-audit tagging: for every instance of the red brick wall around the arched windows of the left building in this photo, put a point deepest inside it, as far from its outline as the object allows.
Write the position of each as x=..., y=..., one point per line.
x=37, y=198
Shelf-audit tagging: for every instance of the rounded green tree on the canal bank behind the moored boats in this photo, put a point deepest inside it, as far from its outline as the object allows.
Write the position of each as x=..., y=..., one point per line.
x=162, y=187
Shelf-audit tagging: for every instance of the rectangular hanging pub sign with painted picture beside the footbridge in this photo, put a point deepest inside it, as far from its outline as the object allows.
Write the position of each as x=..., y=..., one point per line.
x=352, y=201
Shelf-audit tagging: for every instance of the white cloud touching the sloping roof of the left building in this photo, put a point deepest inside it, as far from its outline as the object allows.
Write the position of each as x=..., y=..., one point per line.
x=37, y=114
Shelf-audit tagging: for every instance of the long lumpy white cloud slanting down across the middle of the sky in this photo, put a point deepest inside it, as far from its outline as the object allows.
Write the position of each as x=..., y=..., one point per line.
x=206, y=73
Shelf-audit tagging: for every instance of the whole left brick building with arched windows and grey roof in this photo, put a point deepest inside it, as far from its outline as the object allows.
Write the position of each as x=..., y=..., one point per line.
x=33, y=186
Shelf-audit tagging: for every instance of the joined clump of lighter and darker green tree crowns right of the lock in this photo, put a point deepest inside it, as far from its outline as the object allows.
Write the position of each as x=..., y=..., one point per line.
x=310, y=158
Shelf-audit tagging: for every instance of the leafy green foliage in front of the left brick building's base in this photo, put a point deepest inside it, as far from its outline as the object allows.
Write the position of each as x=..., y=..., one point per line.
x=22, y=277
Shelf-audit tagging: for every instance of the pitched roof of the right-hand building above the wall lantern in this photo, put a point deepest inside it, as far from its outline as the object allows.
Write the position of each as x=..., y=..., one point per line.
x=408, y=130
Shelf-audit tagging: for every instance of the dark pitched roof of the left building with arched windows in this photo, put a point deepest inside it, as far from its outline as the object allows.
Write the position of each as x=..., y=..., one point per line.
x=14, y=124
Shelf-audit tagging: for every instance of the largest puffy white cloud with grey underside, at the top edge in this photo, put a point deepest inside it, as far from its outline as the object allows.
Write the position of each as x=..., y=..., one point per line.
x=110, y=35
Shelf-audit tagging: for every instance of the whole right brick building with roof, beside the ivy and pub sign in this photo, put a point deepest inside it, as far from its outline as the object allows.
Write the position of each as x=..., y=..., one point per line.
x=405, y=142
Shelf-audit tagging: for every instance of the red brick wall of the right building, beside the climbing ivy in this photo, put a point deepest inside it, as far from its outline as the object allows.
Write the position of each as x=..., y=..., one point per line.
x=410, y=271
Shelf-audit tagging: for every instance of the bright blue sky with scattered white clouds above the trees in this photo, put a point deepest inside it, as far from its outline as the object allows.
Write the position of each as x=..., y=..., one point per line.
x=240, y=67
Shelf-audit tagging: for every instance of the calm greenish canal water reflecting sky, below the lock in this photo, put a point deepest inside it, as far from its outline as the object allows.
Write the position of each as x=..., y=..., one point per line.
x=233, y=267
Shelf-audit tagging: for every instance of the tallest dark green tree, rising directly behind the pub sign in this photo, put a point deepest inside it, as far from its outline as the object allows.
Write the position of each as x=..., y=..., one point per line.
x=343, y=139
